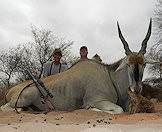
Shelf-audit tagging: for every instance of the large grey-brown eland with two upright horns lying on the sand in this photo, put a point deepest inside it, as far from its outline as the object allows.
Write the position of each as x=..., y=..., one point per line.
x=88, y=84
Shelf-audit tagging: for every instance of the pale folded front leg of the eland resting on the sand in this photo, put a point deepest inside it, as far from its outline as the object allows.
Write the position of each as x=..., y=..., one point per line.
x=108, y=107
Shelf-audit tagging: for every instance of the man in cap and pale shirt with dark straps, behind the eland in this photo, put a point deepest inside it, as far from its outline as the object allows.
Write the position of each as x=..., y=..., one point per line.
x=54, y=66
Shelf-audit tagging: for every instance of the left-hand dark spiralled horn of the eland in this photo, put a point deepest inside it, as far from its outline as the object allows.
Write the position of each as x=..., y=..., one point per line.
x=126, y=46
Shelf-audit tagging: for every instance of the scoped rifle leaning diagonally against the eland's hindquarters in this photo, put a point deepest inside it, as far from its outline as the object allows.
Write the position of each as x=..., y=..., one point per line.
x=45, y=94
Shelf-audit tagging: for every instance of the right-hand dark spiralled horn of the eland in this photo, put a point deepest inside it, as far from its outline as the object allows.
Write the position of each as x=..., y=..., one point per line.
x=144, y=43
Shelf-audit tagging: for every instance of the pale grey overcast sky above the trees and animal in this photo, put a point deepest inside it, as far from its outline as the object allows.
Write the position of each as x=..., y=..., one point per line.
x=86, y=22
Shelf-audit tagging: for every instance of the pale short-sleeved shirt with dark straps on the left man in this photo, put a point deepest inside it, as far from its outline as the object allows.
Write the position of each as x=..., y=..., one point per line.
x=50, y=68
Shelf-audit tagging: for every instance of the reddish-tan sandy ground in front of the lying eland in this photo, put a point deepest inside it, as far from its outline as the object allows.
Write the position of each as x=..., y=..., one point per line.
x=81, y=120
